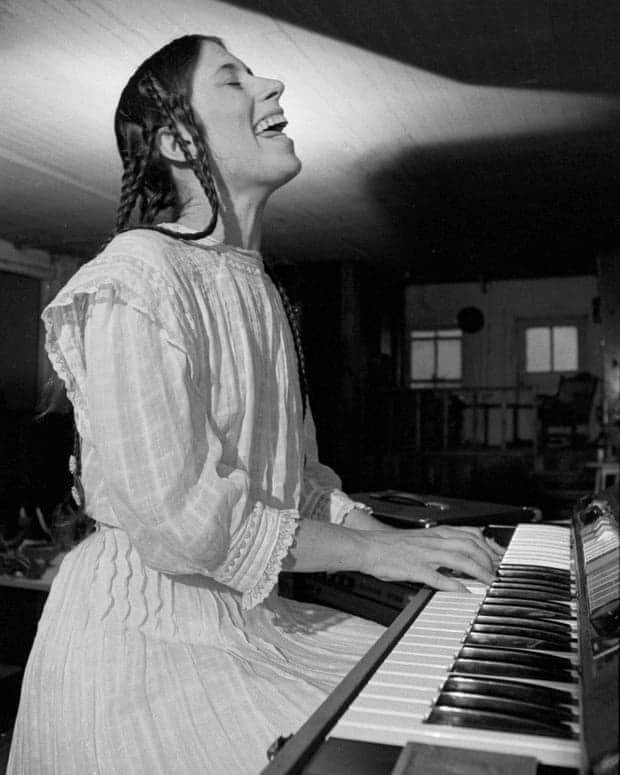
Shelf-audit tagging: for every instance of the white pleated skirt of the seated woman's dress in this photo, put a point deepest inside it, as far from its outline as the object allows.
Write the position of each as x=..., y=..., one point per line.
x=137, y=673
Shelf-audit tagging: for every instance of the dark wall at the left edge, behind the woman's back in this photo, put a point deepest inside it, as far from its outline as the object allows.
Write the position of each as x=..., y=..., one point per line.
x=32, y=455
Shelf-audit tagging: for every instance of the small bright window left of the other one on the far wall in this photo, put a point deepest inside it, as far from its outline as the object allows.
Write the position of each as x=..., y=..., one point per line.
x=436, y=357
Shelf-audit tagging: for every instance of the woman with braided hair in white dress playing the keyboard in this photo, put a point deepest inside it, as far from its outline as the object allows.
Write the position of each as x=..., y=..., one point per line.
x=163, y=647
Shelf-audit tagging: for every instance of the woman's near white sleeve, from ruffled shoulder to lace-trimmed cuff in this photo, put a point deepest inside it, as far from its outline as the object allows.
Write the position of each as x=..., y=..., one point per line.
x=185, y=511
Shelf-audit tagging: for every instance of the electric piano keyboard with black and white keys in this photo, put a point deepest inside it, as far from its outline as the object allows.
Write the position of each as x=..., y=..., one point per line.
x=519, y=676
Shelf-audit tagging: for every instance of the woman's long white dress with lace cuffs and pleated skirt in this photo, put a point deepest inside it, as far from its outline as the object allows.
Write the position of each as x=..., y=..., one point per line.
x=163, y=646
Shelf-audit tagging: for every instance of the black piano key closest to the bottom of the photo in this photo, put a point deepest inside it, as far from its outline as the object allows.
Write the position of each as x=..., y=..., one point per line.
x=500, y=722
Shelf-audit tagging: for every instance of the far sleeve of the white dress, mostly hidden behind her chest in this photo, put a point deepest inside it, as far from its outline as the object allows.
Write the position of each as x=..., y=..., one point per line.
x=321, y=496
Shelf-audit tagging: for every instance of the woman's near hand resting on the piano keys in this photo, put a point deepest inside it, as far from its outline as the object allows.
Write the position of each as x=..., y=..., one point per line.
x=417, y=555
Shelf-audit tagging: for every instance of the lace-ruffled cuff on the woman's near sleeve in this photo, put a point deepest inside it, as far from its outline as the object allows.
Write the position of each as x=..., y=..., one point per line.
x=254, y=565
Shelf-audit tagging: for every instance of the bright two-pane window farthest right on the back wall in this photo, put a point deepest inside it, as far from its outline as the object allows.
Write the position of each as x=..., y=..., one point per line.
x=551, y=348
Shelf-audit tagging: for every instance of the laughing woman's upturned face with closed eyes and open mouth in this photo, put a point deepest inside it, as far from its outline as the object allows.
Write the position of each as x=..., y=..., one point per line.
x=242, y=118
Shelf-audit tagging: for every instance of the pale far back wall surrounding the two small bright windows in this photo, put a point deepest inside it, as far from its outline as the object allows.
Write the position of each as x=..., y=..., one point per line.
x=492, y=357
